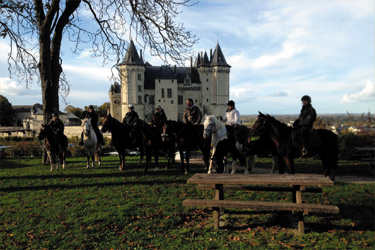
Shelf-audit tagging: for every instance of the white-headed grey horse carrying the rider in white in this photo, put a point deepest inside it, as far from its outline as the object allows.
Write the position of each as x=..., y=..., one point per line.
x=222, y=145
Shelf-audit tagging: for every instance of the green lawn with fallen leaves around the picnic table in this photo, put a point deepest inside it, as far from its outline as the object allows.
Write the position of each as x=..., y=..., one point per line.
x=103, y=208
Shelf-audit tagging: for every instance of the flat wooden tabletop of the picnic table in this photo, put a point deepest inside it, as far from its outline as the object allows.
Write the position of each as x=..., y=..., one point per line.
x=261, y=179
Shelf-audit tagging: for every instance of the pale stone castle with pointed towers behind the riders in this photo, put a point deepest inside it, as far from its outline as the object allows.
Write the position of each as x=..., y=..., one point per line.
x=146, y=86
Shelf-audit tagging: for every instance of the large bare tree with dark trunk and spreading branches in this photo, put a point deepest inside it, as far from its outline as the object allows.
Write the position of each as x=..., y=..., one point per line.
x=35, y=30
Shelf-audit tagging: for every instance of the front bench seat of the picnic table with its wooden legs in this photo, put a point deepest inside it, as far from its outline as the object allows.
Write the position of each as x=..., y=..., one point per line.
x=301, y=208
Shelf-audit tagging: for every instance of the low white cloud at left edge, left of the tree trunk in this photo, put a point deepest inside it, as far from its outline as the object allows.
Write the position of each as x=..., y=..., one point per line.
x=9, y=87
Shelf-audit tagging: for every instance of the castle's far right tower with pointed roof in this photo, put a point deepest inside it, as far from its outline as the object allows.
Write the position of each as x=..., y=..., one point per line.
x=219, y=82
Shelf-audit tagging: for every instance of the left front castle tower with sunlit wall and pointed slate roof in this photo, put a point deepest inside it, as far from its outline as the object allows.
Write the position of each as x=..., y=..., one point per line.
x=132, y=76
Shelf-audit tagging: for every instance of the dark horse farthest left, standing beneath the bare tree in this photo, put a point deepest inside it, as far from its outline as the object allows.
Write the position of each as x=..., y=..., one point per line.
x=55, y=150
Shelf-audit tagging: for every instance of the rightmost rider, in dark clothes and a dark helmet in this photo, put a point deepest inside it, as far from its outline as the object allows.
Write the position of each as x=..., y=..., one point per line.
x=304, y=123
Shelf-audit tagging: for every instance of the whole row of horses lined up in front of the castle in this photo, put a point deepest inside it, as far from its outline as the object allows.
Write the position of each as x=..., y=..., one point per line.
x=274, y=136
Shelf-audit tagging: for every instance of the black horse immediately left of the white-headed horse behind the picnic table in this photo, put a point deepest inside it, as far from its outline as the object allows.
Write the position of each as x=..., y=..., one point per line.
x=187, y=136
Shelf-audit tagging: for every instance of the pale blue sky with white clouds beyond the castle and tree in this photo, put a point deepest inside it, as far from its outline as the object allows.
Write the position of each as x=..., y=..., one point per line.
x=278, y=52
